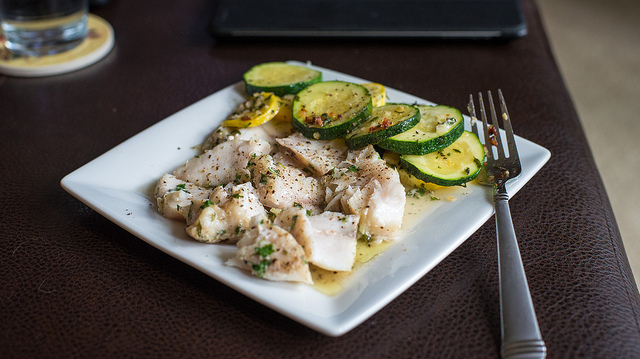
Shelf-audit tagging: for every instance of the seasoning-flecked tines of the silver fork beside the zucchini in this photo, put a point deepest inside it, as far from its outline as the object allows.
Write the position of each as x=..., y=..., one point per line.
x=491, y=132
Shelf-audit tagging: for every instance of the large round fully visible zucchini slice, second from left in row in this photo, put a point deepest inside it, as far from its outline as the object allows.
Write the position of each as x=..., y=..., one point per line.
x=330, y=109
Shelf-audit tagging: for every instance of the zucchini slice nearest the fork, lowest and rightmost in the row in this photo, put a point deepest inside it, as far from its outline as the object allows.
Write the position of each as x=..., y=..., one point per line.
x=454, y=165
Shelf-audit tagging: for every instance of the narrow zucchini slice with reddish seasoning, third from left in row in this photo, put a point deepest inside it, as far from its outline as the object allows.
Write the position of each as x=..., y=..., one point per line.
x=385, y=121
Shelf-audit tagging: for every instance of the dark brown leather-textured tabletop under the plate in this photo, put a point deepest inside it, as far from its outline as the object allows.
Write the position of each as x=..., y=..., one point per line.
x=73, y=284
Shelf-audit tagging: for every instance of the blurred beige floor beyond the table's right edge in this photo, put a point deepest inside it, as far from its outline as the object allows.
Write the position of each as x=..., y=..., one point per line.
x=597, y=46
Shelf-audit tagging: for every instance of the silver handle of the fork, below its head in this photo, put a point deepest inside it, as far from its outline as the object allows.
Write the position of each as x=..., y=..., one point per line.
x=521, y=336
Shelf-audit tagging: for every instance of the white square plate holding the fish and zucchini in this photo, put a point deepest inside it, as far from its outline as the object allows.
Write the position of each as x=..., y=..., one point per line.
x=119, y=185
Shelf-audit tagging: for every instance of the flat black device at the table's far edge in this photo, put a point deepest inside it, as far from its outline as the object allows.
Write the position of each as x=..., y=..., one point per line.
x=459, y=19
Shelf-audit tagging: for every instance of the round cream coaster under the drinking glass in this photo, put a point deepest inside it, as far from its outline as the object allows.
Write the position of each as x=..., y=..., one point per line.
x=98, y=44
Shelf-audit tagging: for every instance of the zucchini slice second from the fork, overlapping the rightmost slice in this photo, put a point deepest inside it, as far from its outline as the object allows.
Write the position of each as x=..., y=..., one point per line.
x=439, y=127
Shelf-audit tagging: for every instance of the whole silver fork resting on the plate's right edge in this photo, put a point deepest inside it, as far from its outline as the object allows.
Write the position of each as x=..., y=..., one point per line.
x=521, y=336
